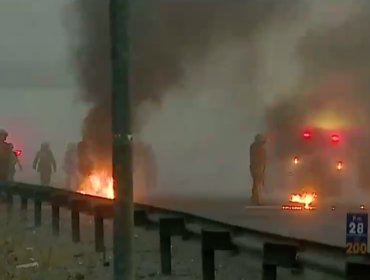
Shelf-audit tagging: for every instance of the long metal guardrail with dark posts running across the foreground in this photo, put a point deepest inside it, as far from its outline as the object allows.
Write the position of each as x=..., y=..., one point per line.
x=274, y=250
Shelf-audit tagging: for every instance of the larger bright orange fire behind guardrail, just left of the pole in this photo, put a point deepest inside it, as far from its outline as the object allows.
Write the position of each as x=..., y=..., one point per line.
x=98, y=184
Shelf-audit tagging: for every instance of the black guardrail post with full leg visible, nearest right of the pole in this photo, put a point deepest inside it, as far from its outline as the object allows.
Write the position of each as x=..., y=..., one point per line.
x=169, y=227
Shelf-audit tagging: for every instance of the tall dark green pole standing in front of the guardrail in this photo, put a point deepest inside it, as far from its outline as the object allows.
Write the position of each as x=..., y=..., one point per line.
x=122, y=141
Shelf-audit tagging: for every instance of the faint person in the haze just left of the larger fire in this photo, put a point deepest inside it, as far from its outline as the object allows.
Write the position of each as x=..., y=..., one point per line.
x=70, y=167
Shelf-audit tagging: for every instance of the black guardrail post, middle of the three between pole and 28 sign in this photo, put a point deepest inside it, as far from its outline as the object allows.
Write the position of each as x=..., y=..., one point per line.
x=213, y=240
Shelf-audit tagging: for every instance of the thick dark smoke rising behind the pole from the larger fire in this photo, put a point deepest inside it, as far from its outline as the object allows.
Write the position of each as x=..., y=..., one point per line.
x=164, y=35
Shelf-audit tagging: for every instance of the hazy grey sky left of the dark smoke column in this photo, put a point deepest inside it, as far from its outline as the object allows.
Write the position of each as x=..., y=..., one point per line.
x=39, y=97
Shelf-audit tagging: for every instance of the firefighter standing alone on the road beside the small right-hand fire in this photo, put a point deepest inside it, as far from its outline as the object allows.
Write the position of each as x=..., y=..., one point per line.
x=257, y=167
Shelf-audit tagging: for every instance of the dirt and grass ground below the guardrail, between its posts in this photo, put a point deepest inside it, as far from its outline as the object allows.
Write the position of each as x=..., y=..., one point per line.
x=58, y=258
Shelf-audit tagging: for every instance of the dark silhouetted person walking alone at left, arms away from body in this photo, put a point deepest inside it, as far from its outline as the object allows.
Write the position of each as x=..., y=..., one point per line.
x=45, y=164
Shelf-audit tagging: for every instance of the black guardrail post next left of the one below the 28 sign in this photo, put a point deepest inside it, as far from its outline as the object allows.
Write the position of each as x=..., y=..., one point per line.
x=278, y=255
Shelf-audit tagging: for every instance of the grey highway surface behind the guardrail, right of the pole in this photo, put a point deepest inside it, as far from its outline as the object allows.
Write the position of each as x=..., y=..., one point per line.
x=322, y=225
